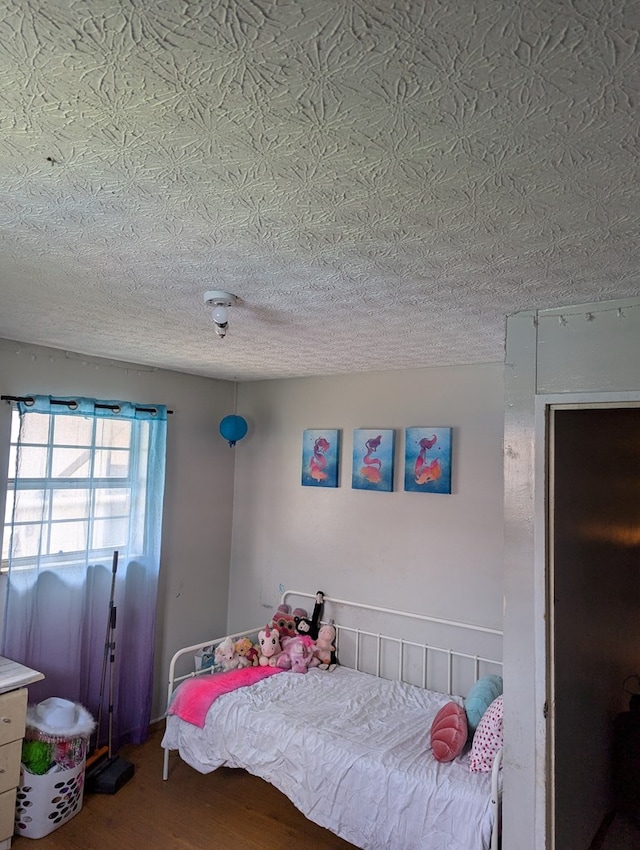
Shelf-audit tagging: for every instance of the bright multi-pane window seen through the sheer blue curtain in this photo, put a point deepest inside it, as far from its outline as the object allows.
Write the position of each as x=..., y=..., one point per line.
x=72, y=496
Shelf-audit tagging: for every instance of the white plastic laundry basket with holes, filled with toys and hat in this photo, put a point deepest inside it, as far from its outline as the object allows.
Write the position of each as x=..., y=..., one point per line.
x=60, y=731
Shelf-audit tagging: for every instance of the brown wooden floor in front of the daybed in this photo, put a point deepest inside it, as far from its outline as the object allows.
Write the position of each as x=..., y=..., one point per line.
x=224, y=810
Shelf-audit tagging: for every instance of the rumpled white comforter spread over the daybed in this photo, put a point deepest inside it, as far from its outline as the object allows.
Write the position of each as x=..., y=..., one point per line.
x=352, y=752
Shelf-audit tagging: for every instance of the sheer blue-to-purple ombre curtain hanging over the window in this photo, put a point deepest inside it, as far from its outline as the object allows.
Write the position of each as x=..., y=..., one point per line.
x=89, y=480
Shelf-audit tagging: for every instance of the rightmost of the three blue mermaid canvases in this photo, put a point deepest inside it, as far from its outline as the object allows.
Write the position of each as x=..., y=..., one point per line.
x=427, y=460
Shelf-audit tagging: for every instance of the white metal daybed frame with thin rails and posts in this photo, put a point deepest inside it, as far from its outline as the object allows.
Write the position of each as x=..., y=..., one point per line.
x=380, y=640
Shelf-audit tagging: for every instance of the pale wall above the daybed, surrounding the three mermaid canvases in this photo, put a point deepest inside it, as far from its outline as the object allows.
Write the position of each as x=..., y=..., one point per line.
x=437, y=554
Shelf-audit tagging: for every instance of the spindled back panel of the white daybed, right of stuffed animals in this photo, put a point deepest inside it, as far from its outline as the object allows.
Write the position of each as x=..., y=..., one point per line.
x=443, y=655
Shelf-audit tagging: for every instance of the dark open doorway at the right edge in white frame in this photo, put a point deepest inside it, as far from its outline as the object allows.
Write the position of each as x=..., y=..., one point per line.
x=594, y=507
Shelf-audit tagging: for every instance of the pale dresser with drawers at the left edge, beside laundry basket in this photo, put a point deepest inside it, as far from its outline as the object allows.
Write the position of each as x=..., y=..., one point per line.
x=13, y=708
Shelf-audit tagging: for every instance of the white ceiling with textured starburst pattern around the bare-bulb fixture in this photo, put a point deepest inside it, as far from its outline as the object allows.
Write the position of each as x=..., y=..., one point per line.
x=380, y=181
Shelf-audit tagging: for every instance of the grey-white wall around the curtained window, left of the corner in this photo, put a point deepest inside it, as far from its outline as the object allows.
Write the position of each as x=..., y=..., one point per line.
x=192, y=601
